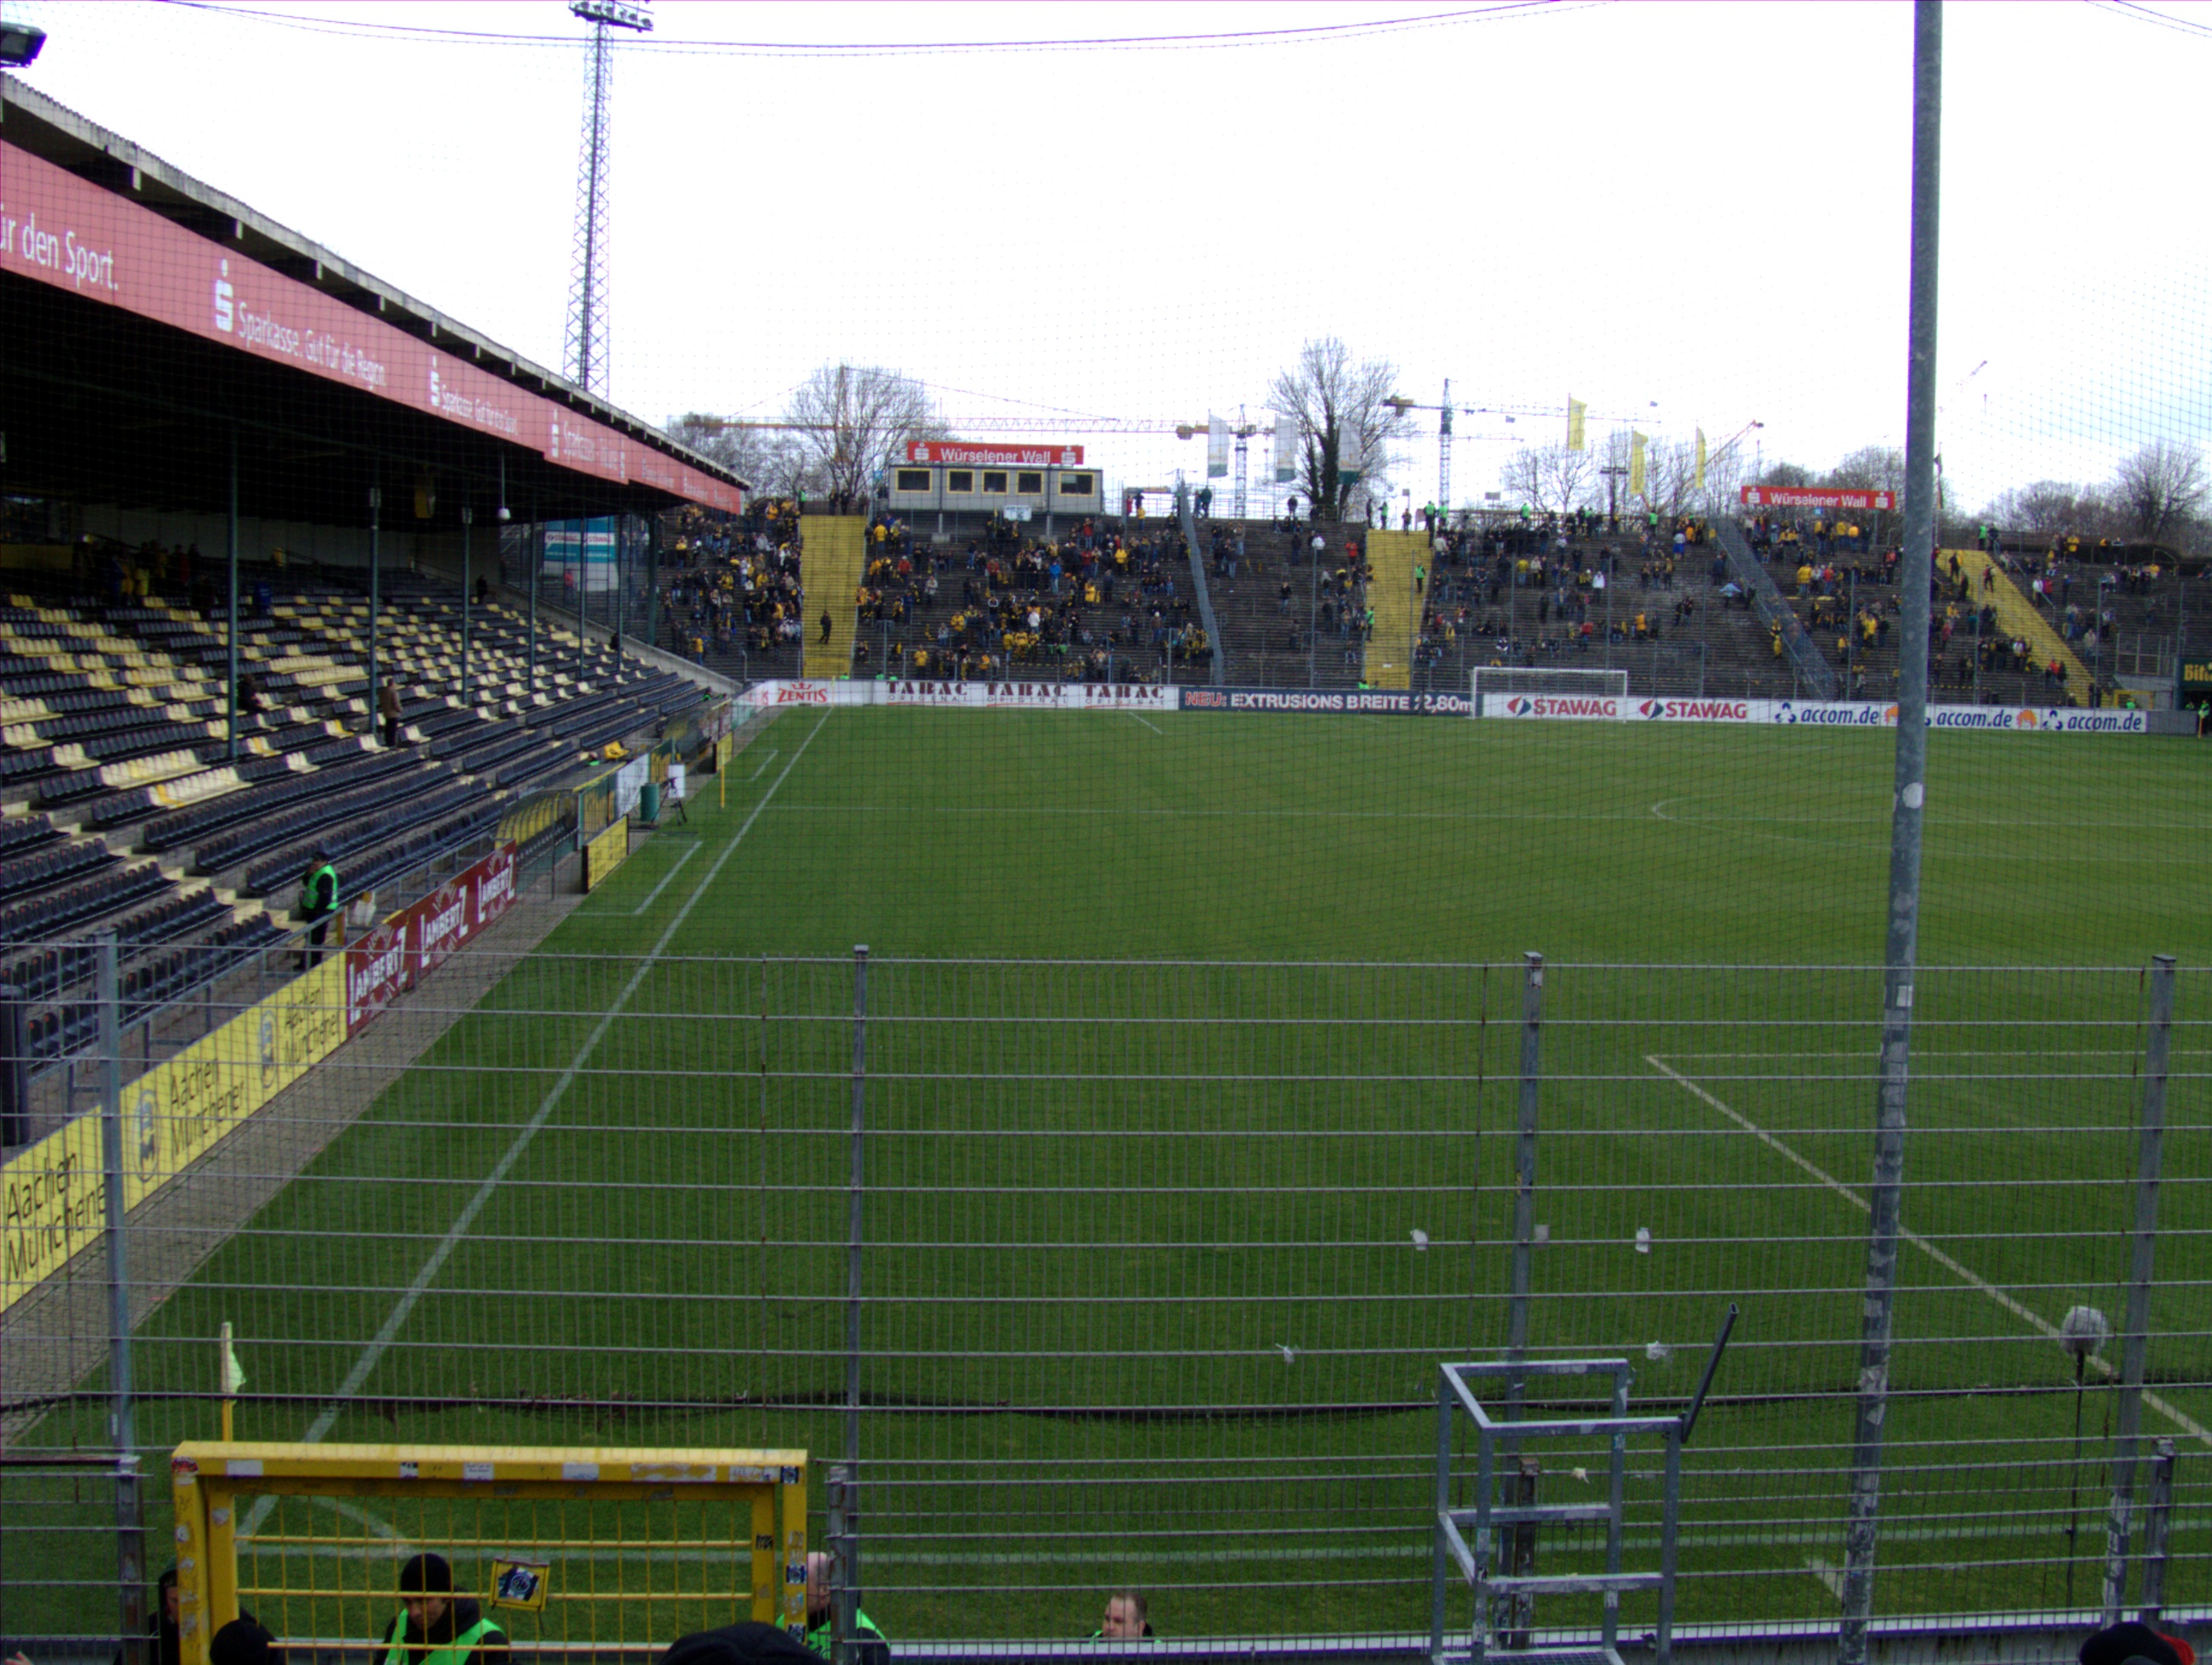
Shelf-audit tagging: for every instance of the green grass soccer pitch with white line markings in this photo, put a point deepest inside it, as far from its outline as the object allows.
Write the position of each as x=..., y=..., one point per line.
x=1145, y=1295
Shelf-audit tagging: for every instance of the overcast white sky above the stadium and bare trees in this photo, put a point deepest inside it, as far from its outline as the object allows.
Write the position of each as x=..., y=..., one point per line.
x=1684, y=213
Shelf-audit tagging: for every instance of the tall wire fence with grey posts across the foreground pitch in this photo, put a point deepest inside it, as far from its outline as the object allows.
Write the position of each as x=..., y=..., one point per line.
x=1140, y=1275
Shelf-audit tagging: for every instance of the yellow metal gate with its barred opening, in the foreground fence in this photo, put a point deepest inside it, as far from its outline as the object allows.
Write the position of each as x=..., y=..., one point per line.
x=567, y=1549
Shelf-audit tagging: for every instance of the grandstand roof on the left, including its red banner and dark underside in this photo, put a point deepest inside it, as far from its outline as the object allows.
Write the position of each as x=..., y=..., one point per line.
x=114, y=379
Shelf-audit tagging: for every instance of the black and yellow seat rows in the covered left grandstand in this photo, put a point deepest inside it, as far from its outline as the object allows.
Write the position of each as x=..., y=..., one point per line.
x=125, y=808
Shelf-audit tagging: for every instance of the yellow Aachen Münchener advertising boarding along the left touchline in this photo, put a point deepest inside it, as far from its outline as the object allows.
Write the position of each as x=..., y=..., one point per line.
x=176, y=1113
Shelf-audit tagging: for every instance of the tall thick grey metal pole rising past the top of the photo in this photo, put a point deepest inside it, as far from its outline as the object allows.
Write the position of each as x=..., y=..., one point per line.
x=1901, y=950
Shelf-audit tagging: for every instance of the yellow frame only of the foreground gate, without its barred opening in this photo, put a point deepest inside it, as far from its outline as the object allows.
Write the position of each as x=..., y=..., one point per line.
x=209, y=1476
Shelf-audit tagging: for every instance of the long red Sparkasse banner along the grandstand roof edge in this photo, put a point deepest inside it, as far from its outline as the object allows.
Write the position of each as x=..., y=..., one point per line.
x=74, y=235
